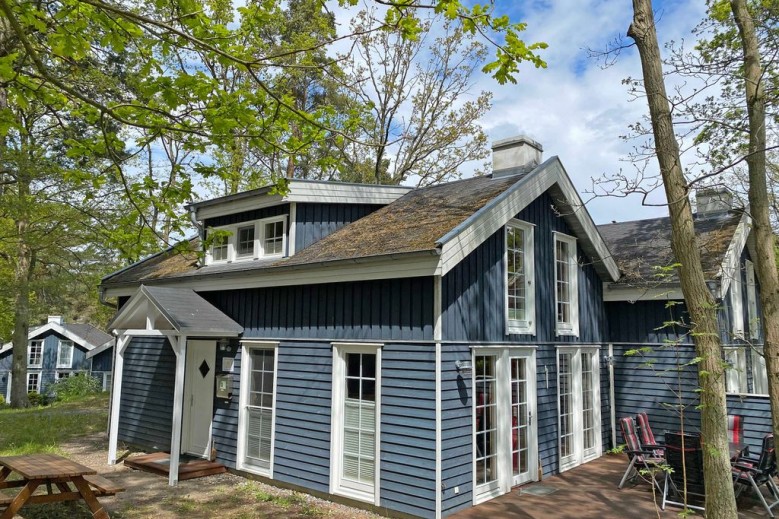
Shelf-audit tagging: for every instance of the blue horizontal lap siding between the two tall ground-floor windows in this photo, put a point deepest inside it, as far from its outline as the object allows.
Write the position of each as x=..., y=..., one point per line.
x=303, y=393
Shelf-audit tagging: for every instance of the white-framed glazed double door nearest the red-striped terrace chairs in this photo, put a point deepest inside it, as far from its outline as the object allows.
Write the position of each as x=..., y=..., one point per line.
x=578, y=391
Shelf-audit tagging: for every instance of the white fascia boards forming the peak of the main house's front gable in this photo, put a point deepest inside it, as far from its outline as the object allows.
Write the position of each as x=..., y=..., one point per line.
x=485, y=222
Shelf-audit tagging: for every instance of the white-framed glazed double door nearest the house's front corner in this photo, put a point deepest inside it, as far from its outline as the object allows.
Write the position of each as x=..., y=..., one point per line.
x=505, y=441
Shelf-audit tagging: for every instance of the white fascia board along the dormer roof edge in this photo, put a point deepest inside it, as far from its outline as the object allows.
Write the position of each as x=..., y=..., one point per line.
x=313, y=192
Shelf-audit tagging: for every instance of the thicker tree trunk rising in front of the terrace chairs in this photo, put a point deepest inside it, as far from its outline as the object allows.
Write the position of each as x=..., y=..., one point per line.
x=720, y=500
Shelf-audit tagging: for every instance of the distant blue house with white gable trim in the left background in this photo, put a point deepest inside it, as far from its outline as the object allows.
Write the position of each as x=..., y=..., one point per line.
x=56, y=350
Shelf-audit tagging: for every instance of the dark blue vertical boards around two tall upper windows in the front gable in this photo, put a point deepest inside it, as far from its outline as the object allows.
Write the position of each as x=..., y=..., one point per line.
x=473, y=291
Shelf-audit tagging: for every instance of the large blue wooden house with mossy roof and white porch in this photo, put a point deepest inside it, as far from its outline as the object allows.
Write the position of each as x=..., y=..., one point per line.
x=415, y=351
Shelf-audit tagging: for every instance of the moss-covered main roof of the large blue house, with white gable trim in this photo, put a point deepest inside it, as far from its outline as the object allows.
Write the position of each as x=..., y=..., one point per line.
x=425, y=232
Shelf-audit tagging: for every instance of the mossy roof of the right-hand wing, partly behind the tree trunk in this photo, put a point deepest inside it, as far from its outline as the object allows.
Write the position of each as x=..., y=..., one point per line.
x=642, y=247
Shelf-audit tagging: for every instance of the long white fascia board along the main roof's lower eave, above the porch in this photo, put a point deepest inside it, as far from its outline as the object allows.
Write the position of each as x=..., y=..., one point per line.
x=400, y=266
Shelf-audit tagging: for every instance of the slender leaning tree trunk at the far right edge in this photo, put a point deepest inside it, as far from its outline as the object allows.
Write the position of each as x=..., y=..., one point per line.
x=765, y=260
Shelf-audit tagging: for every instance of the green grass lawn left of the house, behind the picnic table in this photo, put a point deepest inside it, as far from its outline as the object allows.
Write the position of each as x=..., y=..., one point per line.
x=43, y=429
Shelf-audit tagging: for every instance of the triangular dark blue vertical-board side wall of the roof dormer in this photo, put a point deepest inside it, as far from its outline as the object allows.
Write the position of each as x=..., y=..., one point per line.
x=315, y=221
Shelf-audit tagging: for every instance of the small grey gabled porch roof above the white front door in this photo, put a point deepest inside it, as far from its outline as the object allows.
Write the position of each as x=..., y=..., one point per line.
x=184, y=310
